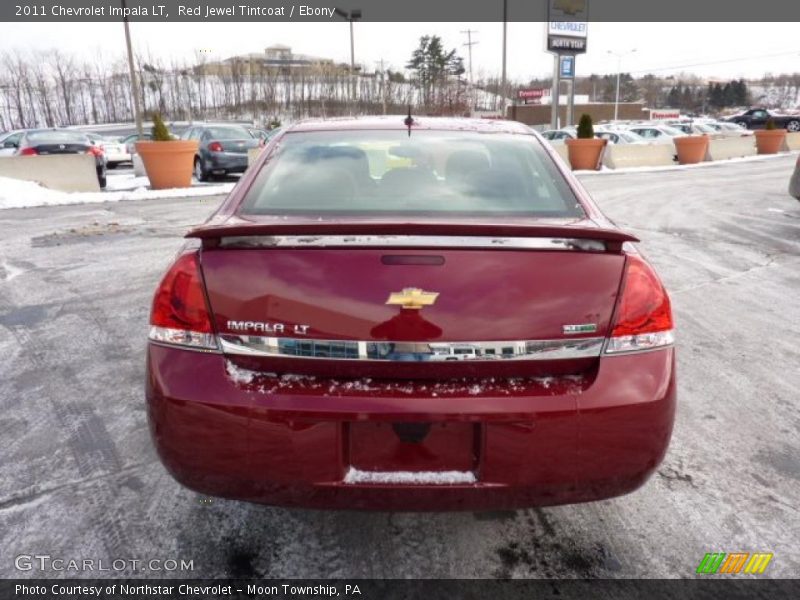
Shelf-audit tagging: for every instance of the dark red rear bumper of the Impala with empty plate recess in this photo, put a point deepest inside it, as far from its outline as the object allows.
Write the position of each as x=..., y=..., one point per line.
x=287, y=445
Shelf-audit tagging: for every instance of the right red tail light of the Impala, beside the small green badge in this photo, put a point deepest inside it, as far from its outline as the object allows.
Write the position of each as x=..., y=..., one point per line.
x=644, y=314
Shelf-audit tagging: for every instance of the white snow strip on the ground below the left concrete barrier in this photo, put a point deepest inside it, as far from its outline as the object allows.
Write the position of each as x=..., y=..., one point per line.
x=17, y=193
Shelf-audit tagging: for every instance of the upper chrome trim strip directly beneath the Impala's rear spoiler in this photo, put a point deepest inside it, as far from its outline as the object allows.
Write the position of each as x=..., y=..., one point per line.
x=413, y=241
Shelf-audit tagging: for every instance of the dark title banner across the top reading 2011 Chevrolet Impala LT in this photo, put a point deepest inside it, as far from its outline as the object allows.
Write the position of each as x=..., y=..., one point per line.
x=394, y=11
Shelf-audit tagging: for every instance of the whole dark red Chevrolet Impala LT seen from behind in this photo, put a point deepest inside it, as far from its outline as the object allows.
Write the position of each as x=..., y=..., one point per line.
x=410, y=314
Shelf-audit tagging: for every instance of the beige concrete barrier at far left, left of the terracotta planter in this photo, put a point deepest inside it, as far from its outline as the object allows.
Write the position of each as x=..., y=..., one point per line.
x=62, y=172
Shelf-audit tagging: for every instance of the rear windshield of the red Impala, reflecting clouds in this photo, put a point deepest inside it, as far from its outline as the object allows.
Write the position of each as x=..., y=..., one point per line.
x=426, y=173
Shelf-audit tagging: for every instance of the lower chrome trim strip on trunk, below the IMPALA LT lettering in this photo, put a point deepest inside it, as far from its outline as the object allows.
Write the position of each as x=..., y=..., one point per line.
x=303, y=348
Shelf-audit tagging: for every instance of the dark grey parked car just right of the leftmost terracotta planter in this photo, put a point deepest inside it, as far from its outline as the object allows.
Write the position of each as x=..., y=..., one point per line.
x=223, y=148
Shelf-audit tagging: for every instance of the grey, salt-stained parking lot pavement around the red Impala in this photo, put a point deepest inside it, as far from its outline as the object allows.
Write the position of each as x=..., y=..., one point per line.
x=79, y=478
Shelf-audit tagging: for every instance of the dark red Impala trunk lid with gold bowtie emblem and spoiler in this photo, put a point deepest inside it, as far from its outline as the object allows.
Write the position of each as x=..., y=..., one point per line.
x=441, y=302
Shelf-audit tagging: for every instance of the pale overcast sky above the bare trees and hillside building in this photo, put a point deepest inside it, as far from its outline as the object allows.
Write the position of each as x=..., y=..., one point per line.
x=726, y=50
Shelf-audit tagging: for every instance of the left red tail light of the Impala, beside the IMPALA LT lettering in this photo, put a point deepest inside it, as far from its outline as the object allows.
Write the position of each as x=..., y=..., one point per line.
x=180, y=314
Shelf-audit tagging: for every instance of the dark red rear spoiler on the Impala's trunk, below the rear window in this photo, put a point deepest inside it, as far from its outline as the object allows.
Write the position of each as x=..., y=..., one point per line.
x=212, y=233
